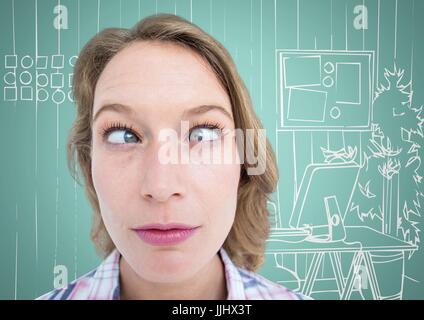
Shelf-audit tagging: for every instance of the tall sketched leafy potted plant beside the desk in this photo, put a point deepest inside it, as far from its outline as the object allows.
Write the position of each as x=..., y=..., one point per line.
x=389, y=193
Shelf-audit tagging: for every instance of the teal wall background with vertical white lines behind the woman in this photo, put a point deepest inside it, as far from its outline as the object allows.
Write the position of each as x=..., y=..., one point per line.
x=45, y=218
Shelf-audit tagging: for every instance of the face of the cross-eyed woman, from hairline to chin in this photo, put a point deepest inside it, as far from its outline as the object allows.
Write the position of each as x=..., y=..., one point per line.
x=147, y=88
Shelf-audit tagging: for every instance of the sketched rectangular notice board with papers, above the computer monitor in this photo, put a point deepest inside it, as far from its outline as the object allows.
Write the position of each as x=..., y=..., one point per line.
x=324, y=90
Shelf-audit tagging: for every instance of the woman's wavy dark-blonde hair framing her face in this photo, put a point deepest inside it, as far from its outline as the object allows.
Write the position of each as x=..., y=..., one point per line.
x=245, y=242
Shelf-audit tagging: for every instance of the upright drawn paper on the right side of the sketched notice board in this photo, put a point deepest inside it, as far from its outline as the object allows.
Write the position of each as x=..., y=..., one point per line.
x=348, y=83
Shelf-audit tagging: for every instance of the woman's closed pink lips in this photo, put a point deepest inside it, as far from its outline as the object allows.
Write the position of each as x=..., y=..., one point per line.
x=165, y=234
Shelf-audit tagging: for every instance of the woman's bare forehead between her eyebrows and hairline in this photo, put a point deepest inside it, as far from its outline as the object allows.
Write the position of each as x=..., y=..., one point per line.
x=158, y=73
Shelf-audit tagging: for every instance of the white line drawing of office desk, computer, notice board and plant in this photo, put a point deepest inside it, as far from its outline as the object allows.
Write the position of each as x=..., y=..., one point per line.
x=349, y=224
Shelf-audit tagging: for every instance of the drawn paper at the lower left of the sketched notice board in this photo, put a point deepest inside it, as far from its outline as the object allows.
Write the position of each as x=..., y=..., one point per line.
x=307, y=105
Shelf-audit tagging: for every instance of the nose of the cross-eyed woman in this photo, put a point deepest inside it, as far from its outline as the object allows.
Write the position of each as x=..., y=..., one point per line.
x=161, y=182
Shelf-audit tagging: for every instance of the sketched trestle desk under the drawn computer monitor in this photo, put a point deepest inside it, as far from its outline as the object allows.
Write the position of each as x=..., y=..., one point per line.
x=362, y=241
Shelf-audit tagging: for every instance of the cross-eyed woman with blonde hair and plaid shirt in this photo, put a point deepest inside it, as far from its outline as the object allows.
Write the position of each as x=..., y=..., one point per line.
x=180, y=230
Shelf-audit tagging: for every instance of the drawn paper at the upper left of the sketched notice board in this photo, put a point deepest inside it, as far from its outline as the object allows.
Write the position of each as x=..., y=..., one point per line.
x=302, y=71
